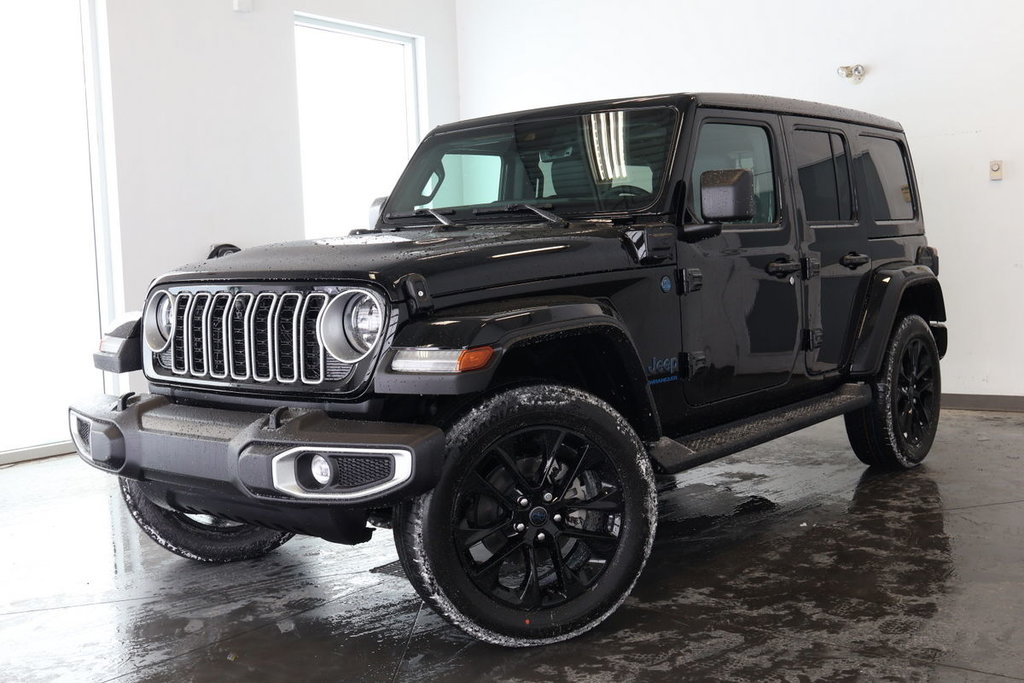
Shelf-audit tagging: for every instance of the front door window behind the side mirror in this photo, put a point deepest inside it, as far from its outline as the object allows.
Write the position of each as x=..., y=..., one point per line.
x=730, y=146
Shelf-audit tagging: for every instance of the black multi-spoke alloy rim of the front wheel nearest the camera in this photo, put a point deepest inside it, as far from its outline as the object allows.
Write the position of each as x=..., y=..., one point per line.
x=538, y=518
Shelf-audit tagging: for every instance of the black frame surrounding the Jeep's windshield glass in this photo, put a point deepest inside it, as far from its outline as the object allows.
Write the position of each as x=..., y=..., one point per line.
x=465, y=215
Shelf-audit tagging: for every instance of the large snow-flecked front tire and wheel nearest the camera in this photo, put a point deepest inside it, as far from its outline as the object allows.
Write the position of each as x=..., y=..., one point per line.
x=425, y=528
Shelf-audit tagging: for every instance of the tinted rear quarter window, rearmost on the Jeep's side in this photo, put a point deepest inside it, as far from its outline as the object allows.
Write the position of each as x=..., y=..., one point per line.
x=886, y=182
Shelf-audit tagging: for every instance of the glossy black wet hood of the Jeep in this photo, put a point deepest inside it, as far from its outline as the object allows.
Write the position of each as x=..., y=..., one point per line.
x=452, y=262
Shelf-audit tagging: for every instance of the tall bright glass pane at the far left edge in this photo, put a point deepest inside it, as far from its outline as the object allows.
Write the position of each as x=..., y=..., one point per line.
x=49, y=277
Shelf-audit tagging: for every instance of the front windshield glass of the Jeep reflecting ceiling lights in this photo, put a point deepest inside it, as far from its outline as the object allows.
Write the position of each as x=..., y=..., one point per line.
x=606, y=161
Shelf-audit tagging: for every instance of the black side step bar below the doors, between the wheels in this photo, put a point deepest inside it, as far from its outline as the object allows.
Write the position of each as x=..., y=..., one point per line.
x=673, y=456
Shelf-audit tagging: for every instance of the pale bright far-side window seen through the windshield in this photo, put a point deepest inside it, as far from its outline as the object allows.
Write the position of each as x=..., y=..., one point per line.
x=467, y=179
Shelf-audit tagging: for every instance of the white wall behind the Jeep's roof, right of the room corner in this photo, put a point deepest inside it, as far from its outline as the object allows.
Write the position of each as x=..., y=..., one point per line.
x=951, y=72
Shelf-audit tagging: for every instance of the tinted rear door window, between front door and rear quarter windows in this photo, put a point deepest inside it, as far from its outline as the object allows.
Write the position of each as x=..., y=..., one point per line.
x=825, y=178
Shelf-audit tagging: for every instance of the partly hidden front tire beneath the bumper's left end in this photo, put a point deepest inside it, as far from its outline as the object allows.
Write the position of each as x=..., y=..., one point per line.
x=189, y=538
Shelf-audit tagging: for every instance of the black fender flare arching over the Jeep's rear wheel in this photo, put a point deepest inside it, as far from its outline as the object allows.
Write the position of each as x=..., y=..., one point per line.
x=890, y=290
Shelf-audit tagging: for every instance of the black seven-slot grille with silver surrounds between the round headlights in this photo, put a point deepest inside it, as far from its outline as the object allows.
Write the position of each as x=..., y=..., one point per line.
x=244, y=336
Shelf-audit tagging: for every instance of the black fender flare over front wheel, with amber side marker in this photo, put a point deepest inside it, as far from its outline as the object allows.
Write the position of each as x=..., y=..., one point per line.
x=511, y=325
